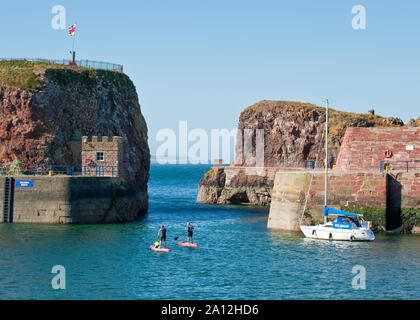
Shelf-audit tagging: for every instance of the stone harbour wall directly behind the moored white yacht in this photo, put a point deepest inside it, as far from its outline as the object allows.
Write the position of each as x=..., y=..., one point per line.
x=381, y=197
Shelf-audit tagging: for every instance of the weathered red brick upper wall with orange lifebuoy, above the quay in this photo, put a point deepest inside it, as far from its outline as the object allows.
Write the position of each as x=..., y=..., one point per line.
x=363, y=148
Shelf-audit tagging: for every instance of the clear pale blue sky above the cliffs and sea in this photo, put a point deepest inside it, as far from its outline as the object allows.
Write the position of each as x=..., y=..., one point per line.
x=205, y=61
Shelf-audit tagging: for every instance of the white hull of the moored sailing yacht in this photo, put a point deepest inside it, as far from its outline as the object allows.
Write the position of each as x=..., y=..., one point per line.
x=328, y=233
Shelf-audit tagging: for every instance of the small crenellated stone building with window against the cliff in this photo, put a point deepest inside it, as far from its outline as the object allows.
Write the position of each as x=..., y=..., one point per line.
x=102, y=156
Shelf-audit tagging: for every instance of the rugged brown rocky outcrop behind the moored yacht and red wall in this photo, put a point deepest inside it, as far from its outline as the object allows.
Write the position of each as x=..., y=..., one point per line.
x=293, y=134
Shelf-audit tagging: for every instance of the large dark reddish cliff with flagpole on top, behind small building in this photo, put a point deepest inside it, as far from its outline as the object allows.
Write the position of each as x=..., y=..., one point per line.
x=45, y=110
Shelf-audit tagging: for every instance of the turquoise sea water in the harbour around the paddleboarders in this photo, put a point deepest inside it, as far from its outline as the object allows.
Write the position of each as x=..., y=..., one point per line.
x=238, y=258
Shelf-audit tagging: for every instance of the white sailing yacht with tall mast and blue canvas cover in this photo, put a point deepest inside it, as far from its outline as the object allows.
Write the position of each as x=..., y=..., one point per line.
x=346, y=226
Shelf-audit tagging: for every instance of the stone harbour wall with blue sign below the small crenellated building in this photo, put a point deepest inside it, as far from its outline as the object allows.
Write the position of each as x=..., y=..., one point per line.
x=74, y=200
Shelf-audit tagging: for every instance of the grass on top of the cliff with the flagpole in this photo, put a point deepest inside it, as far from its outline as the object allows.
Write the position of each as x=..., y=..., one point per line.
x=29, y=75
